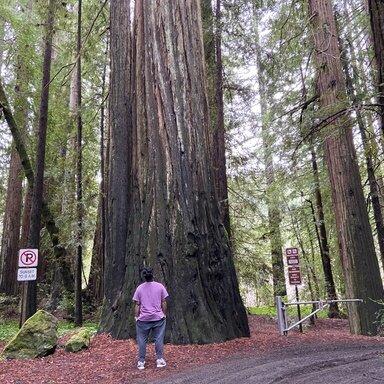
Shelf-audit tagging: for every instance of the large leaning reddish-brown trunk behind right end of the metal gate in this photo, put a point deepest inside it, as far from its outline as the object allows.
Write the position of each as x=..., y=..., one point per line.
x=359, y=261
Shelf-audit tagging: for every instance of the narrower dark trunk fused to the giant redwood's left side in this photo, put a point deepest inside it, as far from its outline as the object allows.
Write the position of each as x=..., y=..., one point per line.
x=118, y=187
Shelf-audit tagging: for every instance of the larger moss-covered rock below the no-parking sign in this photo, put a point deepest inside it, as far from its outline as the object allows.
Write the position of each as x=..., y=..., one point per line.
x=36, y=338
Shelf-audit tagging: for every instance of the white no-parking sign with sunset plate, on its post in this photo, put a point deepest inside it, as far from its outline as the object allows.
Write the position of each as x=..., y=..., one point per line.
x=27, y=272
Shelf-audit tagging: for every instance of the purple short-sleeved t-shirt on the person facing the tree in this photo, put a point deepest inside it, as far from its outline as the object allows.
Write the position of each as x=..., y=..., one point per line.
x=150, y=295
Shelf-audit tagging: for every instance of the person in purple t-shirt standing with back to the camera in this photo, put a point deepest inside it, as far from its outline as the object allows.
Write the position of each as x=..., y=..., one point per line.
x=150, y=315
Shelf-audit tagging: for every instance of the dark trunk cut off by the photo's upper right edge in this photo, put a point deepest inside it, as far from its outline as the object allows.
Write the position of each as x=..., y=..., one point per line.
x=376, y=11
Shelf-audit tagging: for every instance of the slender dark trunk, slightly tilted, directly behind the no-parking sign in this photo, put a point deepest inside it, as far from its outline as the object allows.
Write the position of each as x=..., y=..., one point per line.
x=30, y=292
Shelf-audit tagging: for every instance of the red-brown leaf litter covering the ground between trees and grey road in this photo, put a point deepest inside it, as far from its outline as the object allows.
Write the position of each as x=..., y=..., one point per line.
x=110, y=361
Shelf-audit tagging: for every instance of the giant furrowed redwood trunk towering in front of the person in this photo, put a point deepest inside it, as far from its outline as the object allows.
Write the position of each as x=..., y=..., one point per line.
x=174, y=219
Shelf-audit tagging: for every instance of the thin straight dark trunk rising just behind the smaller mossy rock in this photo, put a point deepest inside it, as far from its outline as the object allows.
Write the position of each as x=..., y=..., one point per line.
x=79, y=181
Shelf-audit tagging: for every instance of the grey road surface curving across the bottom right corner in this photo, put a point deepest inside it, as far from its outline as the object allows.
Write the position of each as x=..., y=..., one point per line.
x=346, y=363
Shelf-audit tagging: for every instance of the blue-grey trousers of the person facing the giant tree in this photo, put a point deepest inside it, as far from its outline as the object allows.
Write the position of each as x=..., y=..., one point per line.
x=142, y=332
